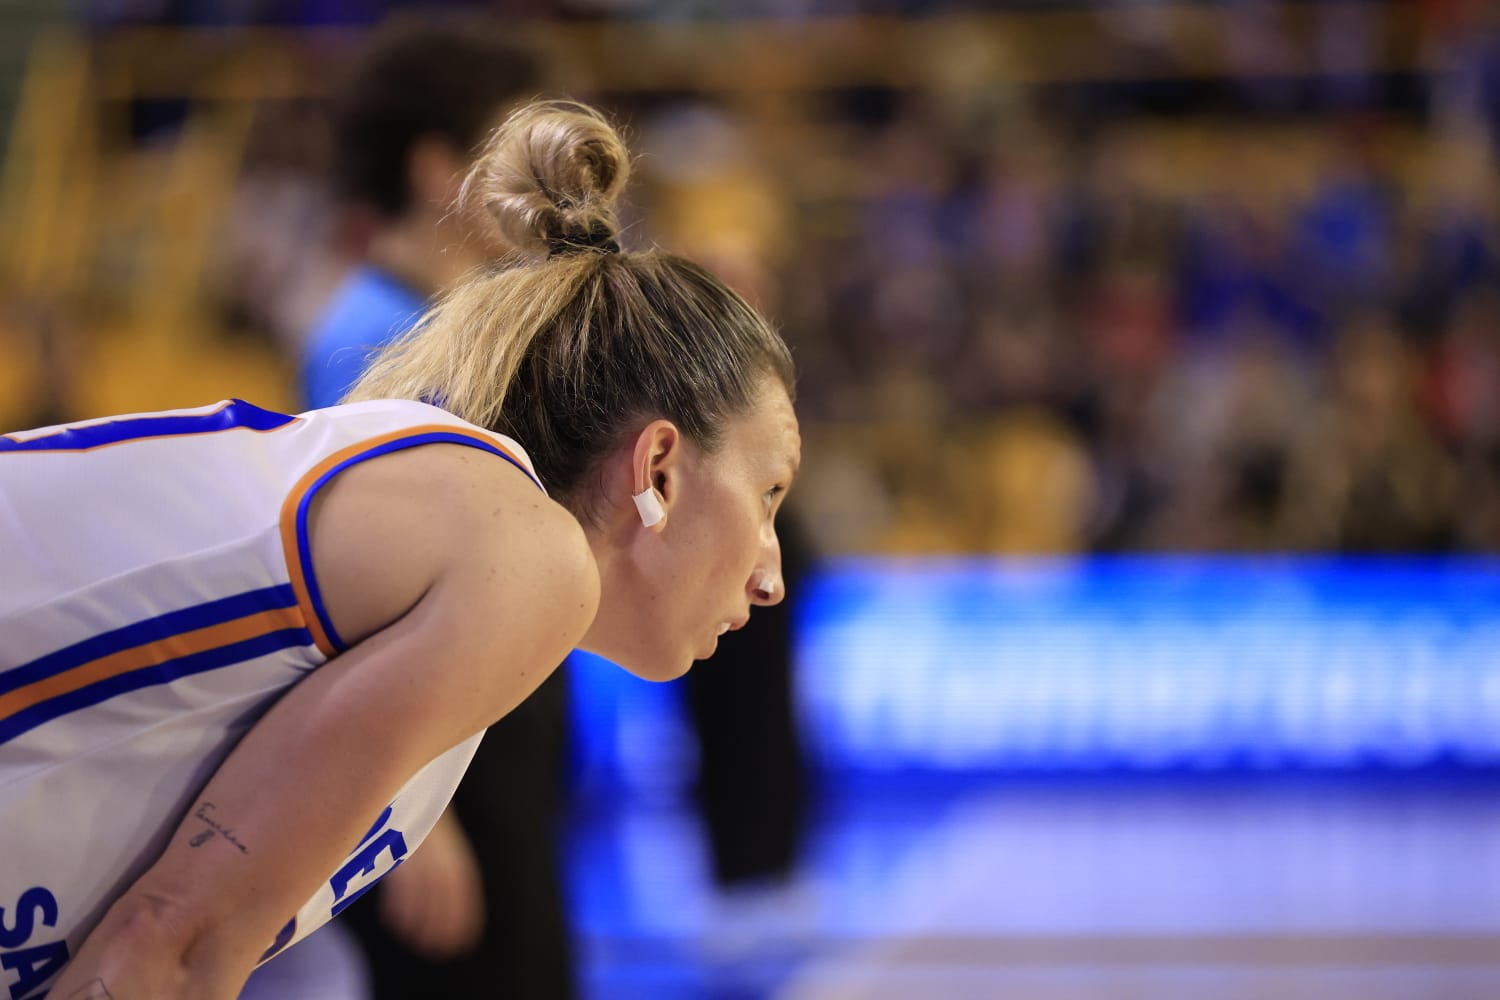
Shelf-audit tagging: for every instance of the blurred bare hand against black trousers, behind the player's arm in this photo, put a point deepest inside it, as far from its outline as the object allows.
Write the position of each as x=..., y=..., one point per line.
x=434, y=902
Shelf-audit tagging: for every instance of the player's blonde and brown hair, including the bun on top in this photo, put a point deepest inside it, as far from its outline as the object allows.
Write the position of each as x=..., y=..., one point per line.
x=572, y=343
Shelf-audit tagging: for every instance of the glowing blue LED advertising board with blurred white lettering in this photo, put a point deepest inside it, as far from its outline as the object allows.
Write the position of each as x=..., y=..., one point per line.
x=1153, y=663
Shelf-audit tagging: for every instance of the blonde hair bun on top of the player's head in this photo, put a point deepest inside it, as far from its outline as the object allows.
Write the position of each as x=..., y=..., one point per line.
x=550, y=178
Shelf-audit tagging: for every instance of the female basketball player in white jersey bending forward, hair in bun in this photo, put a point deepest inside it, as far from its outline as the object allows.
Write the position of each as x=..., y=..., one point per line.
x=247, y=656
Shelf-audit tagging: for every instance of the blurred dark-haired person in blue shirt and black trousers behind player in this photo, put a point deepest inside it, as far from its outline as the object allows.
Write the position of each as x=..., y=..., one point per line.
x=481, y=911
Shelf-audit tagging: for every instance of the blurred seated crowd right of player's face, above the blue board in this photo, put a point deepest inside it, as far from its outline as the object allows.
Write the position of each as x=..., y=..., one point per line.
x=1042, y=341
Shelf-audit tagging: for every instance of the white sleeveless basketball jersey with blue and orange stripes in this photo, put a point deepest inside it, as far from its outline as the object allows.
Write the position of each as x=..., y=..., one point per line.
x=157, y=597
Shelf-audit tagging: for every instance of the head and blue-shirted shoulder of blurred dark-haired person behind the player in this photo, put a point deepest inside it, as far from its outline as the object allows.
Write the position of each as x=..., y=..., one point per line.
x=406, y=127
